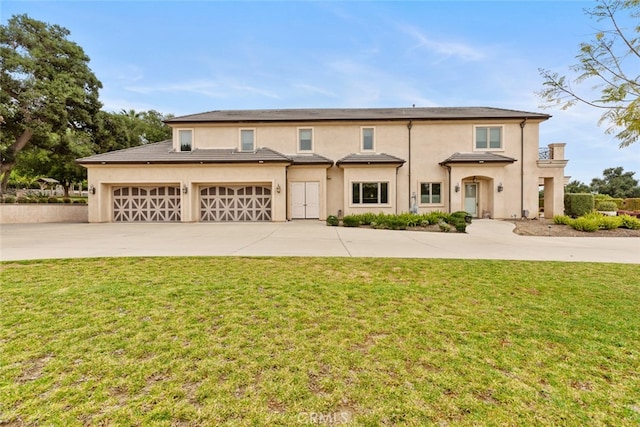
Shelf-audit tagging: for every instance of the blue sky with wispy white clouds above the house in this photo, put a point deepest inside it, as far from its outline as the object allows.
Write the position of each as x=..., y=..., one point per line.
x=194, y=56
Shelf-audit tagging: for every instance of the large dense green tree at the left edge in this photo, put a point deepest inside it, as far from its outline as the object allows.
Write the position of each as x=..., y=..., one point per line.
x=46, y=87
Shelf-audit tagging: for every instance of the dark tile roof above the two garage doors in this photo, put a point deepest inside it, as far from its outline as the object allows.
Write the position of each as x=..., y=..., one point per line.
x=162, y=153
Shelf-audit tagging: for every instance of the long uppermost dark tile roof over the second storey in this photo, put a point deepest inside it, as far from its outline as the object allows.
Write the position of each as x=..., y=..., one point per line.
x=346, y=114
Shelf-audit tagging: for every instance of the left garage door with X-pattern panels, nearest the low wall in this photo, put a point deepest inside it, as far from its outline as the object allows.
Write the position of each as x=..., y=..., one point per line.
x=137, y=204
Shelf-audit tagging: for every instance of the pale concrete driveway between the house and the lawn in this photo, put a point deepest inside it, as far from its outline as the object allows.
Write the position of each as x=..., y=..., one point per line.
x=485, y=239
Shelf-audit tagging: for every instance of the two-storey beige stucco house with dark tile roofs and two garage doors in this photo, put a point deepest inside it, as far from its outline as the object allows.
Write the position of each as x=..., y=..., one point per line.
x=277, y=165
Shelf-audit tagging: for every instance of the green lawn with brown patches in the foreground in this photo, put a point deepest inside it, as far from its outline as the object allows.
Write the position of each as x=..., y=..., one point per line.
x=289, y=341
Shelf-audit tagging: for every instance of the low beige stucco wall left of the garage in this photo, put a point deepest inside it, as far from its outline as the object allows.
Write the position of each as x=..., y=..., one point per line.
x=39, y=213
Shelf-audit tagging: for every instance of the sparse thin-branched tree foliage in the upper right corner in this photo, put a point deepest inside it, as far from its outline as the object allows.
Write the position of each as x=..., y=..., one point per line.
x=611, y=60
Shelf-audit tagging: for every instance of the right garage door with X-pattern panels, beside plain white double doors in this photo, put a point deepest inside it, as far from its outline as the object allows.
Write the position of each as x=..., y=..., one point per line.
x=245, y=203
